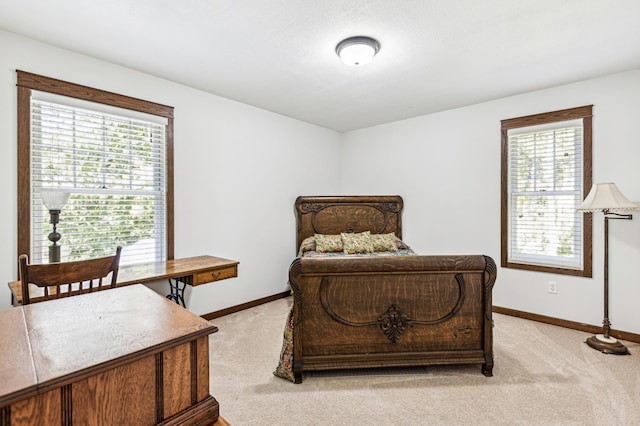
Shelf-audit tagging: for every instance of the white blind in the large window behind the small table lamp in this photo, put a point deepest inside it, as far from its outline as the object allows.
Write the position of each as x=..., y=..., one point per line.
x=113, y=163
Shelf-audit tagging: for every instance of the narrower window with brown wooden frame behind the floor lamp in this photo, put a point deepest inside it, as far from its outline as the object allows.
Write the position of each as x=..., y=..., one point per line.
x=546, y=172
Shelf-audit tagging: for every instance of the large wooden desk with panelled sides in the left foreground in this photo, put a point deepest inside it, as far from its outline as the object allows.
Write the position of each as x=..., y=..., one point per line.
x=123, y=356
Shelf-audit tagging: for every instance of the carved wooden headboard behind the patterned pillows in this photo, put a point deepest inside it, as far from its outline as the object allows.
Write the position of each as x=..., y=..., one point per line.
x=333, y=215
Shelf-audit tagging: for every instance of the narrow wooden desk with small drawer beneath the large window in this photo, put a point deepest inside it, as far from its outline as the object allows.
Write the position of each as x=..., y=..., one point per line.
x=187, y=271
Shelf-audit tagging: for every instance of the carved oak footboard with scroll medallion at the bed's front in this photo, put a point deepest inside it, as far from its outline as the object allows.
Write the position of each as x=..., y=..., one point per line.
x=396, y=311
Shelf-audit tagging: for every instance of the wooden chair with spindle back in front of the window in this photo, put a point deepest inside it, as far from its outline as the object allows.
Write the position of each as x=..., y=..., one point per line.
x=66, y=279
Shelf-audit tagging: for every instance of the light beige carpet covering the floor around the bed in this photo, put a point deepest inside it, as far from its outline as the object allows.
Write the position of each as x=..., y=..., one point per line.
x=543, y=375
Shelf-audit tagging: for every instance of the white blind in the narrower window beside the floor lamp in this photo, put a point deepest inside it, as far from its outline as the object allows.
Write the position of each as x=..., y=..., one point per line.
x=545, y=181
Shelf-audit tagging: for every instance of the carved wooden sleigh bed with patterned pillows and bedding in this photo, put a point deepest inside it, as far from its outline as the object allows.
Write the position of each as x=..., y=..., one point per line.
x=380, y=307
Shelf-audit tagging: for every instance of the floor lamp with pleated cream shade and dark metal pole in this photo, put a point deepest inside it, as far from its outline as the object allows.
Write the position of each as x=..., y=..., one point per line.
x=605, y=197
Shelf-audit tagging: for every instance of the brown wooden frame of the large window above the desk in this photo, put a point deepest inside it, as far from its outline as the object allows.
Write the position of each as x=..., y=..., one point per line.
x=26, y=82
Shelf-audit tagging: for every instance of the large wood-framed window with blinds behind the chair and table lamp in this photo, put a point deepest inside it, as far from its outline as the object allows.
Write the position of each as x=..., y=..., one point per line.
x=112, y=153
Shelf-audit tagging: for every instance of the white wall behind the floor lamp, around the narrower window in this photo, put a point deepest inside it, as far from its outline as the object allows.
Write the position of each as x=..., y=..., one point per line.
x=447, y=168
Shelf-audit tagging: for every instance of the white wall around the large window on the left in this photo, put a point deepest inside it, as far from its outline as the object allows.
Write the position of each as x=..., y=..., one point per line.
x=238, y=170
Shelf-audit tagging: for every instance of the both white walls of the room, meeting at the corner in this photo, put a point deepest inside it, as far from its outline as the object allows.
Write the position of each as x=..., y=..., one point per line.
x=233, y=161
